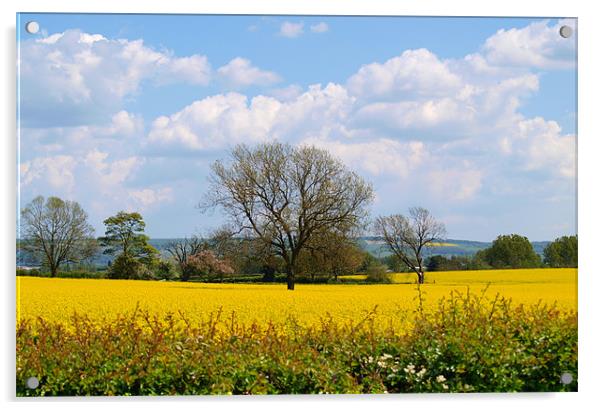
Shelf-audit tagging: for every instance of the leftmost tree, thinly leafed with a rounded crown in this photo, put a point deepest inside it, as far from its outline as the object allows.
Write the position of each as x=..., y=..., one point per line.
x=57, y=231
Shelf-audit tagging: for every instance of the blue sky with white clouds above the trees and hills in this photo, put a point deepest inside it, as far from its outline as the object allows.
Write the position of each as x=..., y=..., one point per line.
x=471, y=118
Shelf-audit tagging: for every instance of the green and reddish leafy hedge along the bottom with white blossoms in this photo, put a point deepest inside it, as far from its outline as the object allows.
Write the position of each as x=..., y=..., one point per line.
x=467, y=344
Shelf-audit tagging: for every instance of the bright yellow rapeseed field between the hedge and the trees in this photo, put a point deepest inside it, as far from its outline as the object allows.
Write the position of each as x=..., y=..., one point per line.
x=102, y=300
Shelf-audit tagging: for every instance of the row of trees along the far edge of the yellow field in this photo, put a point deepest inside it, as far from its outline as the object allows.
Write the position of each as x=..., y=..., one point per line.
x=291, y=209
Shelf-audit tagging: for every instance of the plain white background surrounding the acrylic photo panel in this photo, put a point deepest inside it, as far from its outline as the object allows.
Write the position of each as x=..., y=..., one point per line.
x=589, y=207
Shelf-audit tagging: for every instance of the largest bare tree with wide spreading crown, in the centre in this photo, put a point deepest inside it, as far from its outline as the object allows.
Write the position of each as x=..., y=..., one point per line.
x=284, y=195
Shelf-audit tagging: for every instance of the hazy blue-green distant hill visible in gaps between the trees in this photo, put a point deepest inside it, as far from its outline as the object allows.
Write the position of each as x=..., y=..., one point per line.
x=372, y=244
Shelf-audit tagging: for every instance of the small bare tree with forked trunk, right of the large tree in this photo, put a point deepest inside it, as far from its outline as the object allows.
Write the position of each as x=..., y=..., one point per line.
x=407, y=237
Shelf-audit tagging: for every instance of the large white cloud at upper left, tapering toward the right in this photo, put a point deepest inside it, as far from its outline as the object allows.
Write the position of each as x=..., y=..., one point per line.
x=76, y=78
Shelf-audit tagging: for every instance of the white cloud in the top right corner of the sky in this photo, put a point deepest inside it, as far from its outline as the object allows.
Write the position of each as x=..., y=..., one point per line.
x=537, y=45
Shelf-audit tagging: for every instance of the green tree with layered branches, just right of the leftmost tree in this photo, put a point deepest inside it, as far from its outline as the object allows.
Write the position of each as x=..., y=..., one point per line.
x=124, y=237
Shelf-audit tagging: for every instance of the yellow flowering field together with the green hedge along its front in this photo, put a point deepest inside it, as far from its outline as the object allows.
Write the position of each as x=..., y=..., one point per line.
x=463, y=332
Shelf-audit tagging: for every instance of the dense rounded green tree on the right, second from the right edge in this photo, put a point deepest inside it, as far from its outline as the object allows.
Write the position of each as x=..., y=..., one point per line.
x=510, y=251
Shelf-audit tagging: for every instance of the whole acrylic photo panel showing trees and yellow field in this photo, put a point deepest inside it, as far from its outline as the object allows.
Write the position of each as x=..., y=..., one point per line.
x=221, y=204
